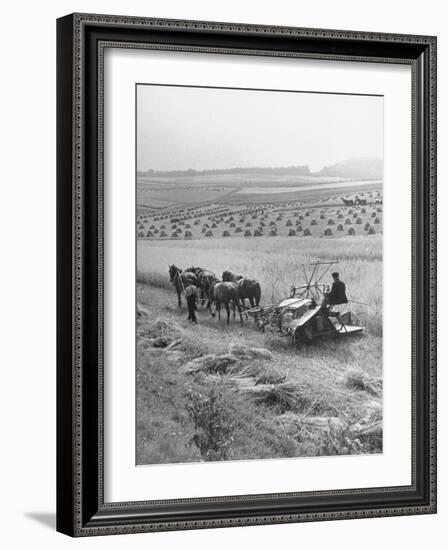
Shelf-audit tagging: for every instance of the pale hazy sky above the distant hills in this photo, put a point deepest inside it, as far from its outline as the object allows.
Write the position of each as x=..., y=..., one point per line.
x=179, y=128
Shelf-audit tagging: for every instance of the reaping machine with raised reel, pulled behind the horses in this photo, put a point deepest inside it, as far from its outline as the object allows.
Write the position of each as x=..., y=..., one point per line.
x=309, y=313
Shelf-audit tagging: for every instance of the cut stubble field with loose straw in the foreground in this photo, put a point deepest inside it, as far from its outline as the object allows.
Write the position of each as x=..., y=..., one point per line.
x=274, y=401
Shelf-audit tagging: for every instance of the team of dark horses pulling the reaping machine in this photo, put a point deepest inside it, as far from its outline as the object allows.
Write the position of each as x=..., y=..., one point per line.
x=232, y=290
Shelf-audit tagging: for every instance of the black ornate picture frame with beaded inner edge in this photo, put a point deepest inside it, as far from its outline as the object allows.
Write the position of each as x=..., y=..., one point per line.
x=81, y=506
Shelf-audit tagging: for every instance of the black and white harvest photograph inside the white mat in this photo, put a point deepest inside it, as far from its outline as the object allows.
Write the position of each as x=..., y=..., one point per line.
x=259, y=262
